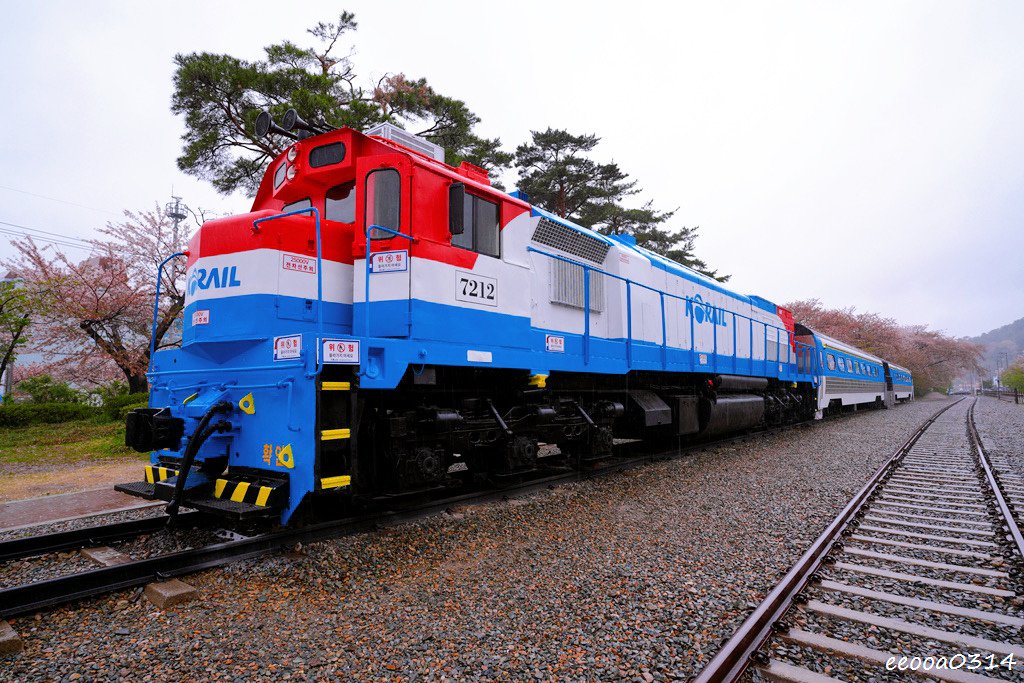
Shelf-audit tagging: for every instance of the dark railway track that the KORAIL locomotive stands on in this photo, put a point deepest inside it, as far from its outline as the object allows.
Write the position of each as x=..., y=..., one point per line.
x=35, y=596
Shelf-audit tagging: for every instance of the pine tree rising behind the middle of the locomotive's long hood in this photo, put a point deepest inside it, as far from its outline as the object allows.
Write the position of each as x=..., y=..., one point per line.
x=558, y=175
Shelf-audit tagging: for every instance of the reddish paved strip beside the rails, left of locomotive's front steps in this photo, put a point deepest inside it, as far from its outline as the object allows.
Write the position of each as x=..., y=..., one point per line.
x=61, y=507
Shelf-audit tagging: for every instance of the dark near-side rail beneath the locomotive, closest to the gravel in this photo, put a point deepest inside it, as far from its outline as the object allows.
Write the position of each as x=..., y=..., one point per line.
x=33, y=597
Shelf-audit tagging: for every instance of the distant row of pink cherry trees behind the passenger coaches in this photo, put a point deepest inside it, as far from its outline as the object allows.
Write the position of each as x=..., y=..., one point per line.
x=933, y=358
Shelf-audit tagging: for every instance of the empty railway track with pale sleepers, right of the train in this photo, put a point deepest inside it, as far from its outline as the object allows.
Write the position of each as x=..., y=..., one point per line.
x=919, y=578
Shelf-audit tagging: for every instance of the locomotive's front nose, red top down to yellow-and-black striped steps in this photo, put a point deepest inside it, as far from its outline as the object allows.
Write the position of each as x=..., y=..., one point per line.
x=230, y=429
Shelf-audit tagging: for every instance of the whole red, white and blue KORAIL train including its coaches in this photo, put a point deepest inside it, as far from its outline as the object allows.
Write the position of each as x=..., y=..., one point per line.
x=383, y=325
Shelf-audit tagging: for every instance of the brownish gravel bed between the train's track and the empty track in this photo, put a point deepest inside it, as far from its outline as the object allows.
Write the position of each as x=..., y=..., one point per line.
x=637, y=577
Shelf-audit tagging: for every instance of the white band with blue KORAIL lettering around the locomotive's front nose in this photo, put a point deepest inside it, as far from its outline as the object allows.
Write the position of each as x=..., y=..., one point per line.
x=262, y=272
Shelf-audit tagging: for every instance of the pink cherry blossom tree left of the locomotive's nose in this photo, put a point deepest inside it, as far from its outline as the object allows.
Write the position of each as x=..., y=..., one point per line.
x=97, y=313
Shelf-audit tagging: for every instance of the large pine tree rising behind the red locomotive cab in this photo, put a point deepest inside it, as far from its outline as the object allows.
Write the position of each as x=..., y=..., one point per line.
x=221, y=97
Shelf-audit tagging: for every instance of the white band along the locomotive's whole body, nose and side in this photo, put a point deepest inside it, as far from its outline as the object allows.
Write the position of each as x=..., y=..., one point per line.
x=524, y=289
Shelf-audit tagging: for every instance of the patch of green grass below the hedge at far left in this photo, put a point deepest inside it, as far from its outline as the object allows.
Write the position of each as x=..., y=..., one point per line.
x=66, y=443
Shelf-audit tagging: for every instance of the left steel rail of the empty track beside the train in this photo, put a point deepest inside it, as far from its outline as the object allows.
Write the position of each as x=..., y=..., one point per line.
x=736, y=656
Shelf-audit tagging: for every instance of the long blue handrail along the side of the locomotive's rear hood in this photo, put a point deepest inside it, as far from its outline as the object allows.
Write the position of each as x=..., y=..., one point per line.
x=662, y=294
